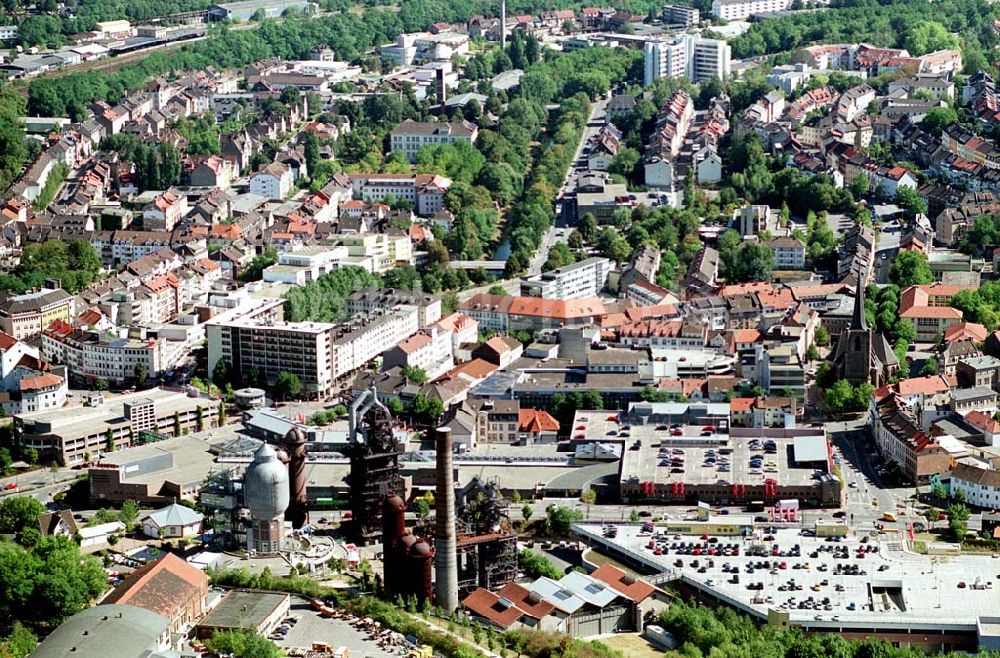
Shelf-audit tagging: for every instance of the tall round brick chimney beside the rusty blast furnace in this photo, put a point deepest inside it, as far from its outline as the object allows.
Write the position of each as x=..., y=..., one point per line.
x=446, y=561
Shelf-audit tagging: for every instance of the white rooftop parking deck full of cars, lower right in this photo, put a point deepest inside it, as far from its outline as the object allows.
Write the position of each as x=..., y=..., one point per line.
x=856, y=581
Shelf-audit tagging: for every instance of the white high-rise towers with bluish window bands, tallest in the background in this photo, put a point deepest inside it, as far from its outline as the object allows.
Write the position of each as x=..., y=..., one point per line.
x=687, y=56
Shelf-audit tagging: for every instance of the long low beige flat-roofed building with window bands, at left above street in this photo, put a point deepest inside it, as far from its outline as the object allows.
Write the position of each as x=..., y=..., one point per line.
x=66, y=435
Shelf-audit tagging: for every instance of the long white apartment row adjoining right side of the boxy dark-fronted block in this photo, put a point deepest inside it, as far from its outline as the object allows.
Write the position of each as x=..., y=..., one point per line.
x=364, y=338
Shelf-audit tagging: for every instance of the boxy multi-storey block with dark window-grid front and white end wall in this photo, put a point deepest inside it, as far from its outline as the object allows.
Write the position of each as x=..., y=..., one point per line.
x=254, y=337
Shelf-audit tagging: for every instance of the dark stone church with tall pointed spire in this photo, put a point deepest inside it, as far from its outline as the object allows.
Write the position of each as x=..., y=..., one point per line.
x=863, y=355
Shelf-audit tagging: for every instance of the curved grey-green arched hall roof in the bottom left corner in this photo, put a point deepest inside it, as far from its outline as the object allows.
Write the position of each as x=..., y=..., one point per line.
x=123, y=631
